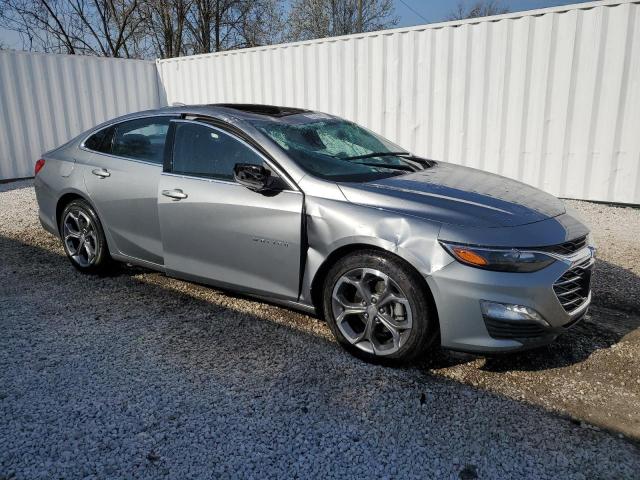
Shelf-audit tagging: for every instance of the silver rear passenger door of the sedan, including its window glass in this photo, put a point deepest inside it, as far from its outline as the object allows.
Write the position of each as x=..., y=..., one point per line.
x=122, y=180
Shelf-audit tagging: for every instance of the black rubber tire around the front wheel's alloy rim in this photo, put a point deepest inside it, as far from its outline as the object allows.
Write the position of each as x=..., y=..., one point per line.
x=423, y=335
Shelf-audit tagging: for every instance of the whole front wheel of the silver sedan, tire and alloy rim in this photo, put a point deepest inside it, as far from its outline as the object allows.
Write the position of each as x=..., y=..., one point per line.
x=378, y=308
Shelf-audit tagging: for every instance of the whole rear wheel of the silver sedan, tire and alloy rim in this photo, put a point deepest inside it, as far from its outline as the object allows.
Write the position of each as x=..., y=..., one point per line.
x=83, y=237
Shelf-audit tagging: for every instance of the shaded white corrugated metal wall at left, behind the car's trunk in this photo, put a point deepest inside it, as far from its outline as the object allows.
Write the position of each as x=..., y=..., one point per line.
x=46, y=100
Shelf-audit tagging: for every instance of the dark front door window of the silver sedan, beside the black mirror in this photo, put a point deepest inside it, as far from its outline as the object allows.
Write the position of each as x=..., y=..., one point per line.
x=205, y=152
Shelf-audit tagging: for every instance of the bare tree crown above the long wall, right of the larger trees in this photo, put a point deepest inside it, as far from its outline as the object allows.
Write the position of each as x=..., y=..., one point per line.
x=310, y=19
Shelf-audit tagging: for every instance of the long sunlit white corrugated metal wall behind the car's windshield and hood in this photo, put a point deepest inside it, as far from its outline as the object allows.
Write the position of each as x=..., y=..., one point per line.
x=550, y=97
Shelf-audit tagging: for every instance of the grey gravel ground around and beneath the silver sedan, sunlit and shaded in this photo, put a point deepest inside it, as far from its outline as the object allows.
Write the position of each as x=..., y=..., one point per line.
x=139, y=376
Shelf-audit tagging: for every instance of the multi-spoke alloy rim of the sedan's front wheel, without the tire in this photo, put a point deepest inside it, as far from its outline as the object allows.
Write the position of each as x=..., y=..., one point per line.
x=371, y=311
